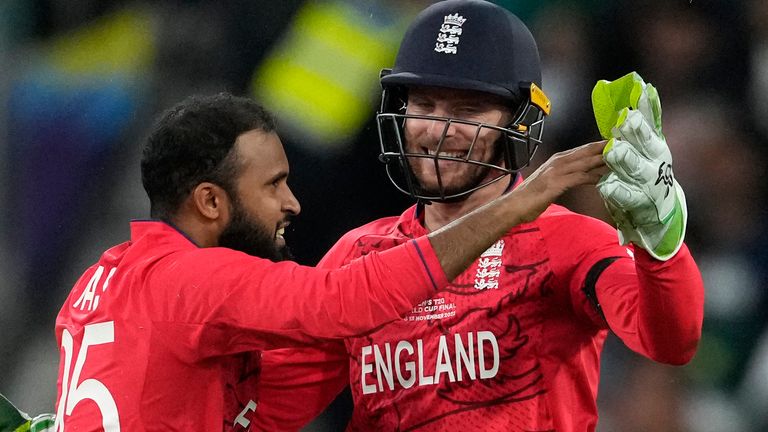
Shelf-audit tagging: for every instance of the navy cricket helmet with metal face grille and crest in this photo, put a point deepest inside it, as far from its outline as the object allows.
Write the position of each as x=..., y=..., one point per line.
x=466, y=45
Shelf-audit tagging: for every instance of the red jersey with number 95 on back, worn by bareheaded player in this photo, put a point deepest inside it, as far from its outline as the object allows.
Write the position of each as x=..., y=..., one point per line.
x=162, y=335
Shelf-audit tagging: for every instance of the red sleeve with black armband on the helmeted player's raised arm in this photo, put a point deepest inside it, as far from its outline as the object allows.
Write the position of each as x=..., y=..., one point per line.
x=654, y=307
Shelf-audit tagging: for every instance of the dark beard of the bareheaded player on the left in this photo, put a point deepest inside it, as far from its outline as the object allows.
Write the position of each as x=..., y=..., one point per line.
x=245, y=235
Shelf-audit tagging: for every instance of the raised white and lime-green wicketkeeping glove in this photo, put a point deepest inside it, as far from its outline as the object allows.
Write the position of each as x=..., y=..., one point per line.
x=641, y=194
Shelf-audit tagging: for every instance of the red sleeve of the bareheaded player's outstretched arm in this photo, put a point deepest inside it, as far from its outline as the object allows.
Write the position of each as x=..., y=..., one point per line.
x=223, y=302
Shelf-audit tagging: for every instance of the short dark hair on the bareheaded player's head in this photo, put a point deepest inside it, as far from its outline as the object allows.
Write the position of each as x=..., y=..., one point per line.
x=192, y=143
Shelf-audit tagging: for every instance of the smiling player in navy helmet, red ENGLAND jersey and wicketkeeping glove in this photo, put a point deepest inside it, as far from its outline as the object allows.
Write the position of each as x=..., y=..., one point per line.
x=514, y=342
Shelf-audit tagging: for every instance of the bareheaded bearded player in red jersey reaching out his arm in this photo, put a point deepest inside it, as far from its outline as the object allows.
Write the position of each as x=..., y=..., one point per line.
x=164, y=332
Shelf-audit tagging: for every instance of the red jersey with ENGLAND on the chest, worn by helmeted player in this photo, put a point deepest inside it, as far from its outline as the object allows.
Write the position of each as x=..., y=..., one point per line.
x=513, y=344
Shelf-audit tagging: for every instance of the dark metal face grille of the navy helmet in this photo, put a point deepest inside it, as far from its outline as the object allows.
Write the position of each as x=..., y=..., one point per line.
x=514, y=148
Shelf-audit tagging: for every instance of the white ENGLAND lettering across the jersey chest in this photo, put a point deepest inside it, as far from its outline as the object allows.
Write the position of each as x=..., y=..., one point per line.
x=457, y=358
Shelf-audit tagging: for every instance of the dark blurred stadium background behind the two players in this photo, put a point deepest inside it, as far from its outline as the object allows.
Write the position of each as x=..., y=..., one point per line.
x=81, y=80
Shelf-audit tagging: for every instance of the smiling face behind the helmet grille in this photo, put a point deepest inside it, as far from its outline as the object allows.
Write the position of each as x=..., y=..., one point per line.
x=424, y=136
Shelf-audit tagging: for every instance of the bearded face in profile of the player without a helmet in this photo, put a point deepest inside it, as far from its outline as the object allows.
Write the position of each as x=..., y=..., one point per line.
x=263, y=203
